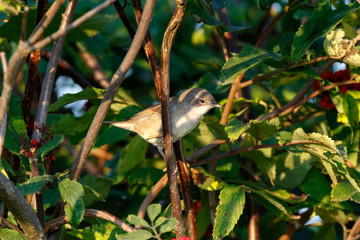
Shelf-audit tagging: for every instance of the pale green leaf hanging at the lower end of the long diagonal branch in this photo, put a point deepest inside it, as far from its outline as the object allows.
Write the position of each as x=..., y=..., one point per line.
x=71, y=192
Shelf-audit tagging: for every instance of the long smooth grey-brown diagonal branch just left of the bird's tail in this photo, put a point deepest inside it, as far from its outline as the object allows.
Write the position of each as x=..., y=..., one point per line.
x=112, y=89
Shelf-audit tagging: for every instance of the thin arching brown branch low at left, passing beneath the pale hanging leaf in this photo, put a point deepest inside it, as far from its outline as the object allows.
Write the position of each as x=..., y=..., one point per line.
x=56, y=223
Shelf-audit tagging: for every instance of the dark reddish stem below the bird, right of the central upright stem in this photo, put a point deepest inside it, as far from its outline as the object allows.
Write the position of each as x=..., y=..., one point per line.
x=184, y=174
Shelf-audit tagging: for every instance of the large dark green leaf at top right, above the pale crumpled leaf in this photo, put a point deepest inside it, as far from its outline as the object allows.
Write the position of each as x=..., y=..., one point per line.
x=322, y=21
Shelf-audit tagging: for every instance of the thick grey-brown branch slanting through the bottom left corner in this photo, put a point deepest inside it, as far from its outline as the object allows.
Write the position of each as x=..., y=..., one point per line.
x=21, y=210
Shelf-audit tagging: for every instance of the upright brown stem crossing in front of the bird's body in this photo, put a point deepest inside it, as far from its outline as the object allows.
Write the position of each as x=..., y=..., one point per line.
x=165, y=116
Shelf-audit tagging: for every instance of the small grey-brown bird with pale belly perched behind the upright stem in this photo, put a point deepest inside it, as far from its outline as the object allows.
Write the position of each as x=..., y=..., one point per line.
x=186, y=111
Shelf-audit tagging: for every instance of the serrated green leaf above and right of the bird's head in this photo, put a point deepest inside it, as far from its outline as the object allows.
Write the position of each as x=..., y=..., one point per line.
x=249, y=57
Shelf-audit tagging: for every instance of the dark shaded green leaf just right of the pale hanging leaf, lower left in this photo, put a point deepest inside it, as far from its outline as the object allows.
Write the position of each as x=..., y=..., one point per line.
x=95, y=189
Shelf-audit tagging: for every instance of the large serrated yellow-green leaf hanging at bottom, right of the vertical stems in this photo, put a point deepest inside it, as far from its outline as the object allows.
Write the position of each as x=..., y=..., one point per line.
x=228, y=212
